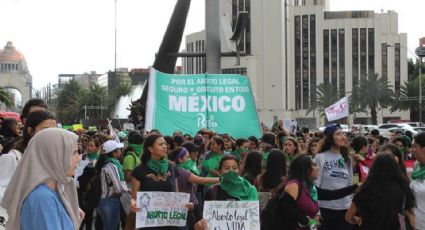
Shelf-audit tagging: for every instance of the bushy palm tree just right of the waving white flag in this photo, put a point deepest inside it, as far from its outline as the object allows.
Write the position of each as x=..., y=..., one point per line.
x=375, y=92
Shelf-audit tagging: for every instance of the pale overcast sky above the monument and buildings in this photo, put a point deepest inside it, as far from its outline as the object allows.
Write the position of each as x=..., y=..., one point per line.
x=77, y=36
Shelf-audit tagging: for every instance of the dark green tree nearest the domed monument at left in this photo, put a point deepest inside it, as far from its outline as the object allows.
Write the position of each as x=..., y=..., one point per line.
x=71, y=99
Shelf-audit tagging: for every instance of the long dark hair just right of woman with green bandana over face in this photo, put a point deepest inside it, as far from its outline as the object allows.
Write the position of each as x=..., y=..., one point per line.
x=275, y=169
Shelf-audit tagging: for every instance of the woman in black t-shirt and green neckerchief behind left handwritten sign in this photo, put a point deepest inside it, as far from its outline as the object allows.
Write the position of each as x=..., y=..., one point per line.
x=155, y=173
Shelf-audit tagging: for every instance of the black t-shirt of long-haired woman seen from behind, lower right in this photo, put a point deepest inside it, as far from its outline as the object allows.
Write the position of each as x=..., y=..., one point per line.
x=375, y=209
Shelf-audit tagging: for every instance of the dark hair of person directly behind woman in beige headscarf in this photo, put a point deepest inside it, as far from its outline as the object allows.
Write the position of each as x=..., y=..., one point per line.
x=33, y=120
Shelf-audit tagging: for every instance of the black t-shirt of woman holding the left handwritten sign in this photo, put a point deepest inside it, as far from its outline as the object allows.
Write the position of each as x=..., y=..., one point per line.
x=151, y=181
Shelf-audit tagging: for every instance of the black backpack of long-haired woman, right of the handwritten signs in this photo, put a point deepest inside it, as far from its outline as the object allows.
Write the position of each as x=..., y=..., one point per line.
x=271, y=217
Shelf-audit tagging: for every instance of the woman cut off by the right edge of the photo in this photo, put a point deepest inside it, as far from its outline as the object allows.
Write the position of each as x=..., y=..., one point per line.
x=418, y=180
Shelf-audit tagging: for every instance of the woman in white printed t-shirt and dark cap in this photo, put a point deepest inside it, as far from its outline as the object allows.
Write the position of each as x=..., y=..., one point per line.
x=335, y=172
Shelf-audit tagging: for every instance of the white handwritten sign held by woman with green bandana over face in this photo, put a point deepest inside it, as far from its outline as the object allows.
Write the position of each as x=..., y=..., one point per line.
x=232, y=215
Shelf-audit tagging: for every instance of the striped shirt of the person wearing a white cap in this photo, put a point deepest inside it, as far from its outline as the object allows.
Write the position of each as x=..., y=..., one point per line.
x=110, y=181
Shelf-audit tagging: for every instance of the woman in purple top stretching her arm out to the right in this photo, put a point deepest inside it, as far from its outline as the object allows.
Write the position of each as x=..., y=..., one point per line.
x=188, y=180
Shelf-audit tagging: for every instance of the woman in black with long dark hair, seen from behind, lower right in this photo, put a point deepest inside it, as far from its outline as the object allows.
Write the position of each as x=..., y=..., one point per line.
x=385, y=190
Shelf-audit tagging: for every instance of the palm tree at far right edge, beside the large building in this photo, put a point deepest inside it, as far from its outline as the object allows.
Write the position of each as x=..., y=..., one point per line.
x=409, y=90
